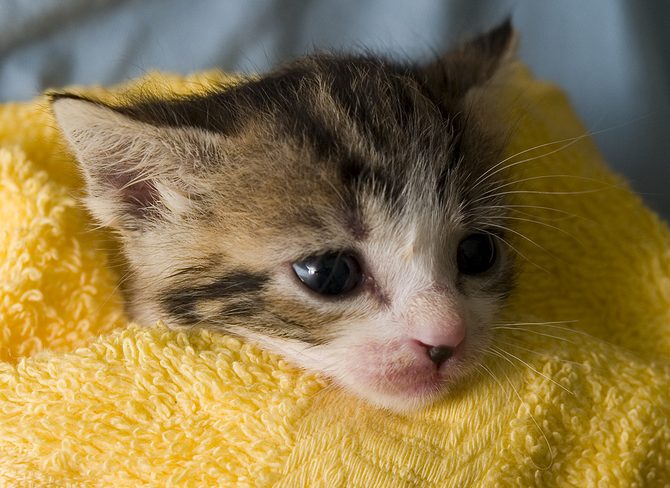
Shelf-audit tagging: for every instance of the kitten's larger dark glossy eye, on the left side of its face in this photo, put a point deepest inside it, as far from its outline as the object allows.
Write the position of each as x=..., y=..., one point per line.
x=329, y=274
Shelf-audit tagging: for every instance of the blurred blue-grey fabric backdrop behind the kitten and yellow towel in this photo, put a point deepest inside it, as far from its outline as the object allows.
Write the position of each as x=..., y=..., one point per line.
x=613, y=57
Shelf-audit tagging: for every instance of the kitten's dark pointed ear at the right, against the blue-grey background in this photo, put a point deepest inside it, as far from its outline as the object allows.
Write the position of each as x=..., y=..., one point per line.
x=472, y=64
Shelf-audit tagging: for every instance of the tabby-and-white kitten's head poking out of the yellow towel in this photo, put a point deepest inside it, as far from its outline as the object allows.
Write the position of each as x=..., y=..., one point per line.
x=341, y=211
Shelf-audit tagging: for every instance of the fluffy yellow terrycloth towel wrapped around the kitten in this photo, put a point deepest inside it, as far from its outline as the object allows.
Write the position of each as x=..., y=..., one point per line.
x=584, y=402
